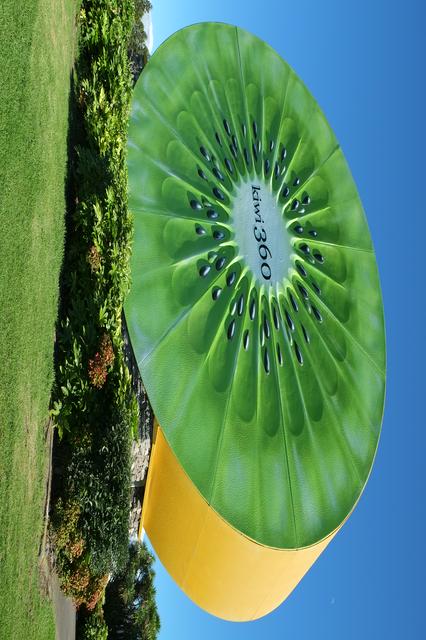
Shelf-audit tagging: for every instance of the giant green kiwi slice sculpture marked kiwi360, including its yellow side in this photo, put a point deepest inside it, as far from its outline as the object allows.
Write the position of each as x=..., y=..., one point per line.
x=255, y=315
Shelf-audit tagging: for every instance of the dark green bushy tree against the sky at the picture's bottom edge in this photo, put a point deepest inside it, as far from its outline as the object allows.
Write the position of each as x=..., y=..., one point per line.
x=130, y=609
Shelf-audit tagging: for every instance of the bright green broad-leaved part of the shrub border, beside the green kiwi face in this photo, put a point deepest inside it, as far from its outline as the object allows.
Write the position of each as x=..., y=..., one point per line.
x=96, y=272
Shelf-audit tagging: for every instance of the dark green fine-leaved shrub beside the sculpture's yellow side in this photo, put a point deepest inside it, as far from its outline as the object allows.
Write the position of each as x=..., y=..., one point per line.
x=99, y=473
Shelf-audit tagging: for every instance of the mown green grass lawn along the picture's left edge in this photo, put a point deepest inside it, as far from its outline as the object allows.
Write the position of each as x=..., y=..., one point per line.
x=37, y=48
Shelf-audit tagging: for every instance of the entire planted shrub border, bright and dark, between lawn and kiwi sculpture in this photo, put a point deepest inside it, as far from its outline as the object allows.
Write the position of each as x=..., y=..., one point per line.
x=93, y=404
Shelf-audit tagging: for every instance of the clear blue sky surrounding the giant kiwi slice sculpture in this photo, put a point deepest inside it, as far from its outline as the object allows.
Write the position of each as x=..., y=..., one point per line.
x=364, y=63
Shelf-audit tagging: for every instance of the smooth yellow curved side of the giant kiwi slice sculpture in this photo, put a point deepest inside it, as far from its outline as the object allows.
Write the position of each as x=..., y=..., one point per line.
x=223, y=571
